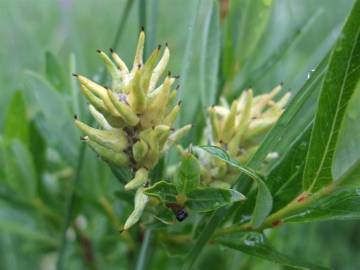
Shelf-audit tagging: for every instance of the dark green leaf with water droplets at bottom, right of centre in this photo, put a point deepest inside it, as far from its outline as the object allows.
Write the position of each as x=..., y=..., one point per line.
x=255, y=244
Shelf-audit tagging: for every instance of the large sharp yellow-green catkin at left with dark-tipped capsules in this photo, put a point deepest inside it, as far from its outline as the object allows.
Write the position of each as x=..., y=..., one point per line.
x=135, y=115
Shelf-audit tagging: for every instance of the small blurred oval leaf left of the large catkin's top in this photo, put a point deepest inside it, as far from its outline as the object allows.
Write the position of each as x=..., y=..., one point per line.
x=54, y=72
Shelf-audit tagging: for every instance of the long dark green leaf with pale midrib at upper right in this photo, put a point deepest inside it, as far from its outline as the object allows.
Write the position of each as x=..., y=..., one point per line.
x=338, y=87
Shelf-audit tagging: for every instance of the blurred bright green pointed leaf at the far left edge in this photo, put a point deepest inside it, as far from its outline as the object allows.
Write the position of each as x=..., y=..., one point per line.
x=16, y=123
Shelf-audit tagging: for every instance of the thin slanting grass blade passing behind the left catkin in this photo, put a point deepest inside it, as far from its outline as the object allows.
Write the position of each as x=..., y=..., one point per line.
x=71, y=202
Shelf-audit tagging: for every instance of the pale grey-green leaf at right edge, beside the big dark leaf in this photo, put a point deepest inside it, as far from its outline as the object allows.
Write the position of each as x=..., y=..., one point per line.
x=347, y=153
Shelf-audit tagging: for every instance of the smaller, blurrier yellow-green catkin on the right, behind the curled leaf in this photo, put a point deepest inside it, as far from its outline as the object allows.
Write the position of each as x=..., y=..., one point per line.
x=239, y=128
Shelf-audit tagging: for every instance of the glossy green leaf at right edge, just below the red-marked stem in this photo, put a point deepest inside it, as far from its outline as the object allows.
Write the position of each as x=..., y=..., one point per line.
x=343, y=204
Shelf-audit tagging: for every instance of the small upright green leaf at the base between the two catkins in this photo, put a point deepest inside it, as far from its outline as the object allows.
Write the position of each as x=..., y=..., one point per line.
x=187, y=176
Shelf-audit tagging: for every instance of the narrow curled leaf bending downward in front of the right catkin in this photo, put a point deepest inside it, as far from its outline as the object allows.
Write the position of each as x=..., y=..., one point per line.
x=263, y=203
